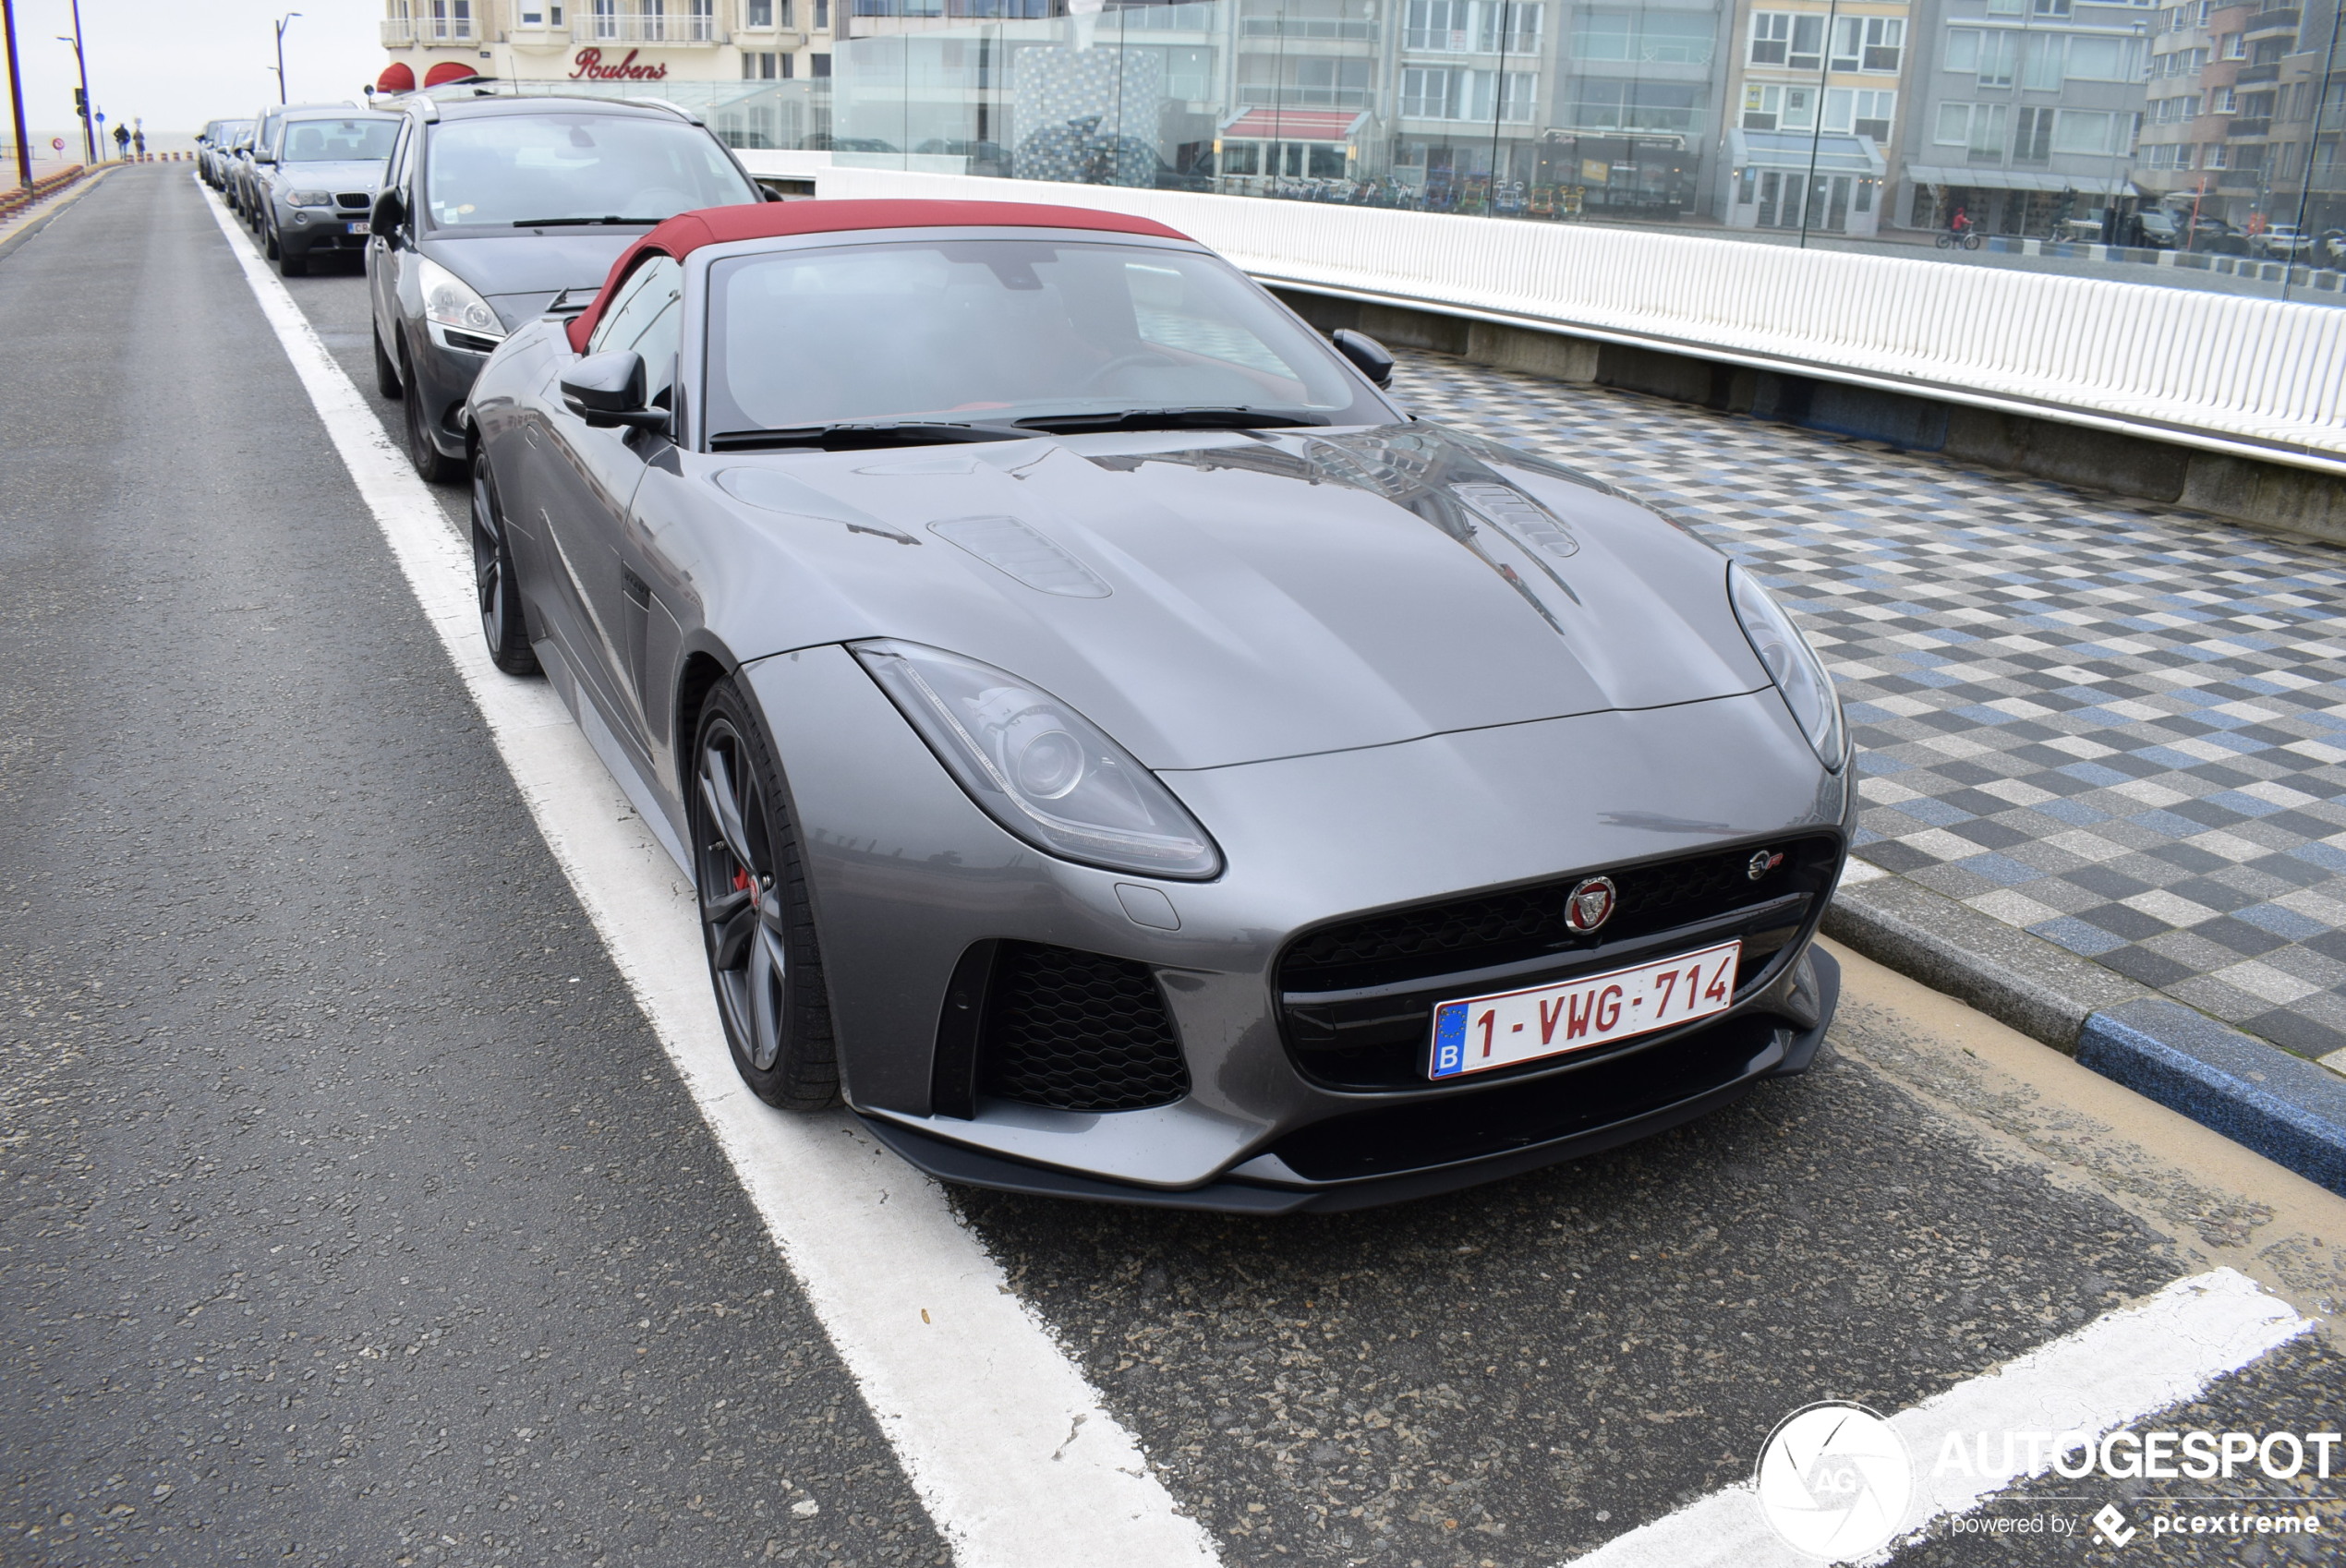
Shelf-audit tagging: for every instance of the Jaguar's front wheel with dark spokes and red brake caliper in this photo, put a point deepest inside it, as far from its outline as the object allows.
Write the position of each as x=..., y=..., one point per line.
x=757, y=920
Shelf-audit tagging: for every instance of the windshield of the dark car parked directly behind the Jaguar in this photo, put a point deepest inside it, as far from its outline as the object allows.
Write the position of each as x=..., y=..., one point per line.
x=508, y=170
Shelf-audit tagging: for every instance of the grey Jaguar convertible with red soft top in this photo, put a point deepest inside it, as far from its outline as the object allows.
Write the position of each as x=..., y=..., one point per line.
x=1118, y=749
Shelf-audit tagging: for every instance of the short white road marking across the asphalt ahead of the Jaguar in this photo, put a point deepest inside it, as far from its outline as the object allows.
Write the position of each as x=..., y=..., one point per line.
x=2113, y=1372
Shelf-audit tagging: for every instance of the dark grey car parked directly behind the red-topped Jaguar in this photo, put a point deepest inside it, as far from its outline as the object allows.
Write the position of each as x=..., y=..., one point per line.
x=491, y=210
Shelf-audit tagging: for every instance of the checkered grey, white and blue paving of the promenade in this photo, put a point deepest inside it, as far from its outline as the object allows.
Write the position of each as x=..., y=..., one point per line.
x=2115, y=725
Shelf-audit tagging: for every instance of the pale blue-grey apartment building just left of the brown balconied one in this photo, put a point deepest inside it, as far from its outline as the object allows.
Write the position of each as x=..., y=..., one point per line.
x=2028, y=118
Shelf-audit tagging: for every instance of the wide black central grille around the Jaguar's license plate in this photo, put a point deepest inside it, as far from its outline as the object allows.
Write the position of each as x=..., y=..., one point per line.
x=1357, y=997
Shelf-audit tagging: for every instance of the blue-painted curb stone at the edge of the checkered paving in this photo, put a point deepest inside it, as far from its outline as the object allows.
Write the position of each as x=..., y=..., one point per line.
x=2289, y=1110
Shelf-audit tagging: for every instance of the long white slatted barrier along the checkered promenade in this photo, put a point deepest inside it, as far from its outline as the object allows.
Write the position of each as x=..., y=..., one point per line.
x=2230, y=374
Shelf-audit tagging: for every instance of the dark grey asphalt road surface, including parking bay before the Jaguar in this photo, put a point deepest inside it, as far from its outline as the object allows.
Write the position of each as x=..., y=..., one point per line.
x=351, y=1213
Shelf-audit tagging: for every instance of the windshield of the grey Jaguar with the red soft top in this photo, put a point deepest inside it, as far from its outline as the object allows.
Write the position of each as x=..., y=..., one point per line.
x=1005, y=329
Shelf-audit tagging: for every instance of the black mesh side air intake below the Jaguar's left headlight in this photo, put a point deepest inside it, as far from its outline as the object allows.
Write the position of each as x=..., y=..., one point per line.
x=1078, y=1032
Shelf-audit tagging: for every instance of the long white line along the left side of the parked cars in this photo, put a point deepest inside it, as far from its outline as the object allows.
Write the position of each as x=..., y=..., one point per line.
x=1001, y=1436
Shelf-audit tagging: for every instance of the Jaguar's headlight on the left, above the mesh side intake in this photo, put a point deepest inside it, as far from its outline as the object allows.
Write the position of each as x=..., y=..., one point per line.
x=1040, y=768
